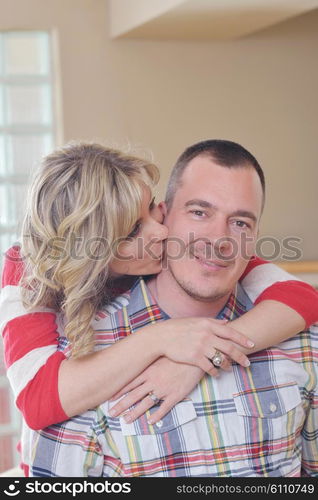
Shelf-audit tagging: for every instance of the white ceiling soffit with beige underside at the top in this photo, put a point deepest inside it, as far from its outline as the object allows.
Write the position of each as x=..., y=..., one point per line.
x=199, y=19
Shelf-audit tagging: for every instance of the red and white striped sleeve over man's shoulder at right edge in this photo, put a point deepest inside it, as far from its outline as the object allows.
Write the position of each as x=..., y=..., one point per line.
x=265, y=281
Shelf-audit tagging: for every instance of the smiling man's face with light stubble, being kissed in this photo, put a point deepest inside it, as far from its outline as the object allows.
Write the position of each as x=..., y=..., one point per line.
x=213, y=225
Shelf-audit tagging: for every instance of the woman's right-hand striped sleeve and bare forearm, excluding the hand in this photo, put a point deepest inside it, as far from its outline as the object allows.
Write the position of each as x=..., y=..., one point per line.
x=285, y=306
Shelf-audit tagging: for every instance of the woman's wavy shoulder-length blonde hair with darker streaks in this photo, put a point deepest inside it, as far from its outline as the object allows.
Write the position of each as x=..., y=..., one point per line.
x=82, y=193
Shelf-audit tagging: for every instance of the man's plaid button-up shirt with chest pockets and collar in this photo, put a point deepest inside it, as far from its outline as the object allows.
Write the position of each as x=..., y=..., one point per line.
x=259, y=421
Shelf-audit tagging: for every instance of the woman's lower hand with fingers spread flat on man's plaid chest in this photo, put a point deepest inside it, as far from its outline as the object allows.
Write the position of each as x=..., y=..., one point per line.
x=171, y=382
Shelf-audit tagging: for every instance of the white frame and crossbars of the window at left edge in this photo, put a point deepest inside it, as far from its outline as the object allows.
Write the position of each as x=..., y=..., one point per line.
x=8, y=231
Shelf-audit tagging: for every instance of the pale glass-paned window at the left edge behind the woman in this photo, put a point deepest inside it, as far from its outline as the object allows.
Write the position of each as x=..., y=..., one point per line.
x=27, y=132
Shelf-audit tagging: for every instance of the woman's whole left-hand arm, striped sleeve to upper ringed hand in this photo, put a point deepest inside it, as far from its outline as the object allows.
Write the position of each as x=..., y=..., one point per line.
x=43, y=379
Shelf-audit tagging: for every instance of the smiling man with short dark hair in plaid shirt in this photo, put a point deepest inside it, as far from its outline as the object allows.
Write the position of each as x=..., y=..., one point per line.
x=255, y=421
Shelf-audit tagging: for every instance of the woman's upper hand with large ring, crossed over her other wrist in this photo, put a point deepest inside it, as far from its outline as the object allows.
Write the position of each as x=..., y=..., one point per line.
x=196, y=340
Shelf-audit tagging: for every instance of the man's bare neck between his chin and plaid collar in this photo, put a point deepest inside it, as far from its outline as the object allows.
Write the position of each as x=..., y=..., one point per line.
x=174, y=301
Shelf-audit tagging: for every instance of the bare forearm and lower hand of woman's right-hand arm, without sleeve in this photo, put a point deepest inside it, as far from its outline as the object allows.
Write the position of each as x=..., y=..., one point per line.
x=267, y=324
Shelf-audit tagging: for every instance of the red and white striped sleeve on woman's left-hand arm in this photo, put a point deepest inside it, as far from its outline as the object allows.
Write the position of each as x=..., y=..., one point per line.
x=30, y=350
